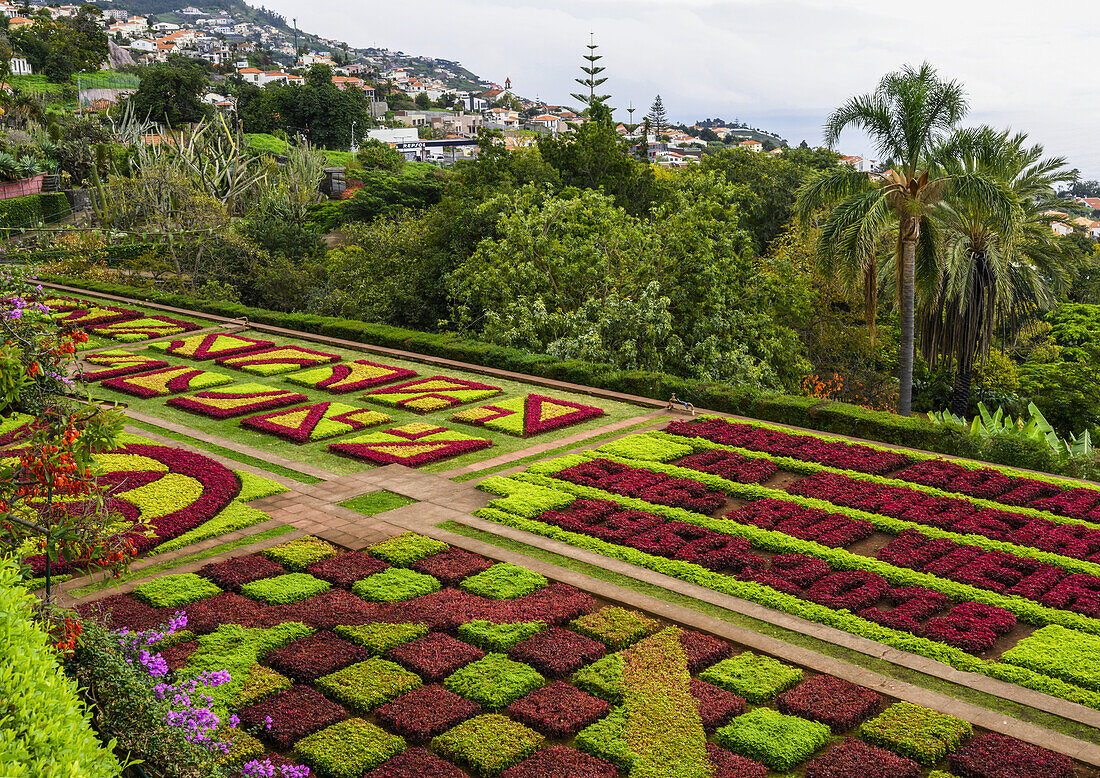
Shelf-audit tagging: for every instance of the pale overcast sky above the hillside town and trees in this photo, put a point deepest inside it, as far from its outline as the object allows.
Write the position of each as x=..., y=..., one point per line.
x=782, y=65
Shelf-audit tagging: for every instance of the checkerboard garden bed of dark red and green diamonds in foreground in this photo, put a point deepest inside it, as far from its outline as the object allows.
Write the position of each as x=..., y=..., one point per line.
x=368, y=664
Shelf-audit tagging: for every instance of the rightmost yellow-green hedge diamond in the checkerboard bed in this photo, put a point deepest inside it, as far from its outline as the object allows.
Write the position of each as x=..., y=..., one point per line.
x=918, y=733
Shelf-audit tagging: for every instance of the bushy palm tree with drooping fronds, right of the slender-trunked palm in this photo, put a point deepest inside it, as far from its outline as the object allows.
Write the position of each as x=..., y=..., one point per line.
x=992, y=275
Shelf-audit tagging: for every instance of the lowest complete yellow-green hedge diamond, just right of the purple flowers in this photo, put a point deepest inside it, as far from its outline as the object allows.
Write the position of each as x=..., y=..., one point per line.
x=349, y=749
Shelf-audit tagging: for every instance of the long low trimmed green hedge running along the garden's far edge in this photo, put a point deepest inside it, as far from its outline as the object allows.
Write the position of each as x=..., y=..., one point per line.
x=804, y=412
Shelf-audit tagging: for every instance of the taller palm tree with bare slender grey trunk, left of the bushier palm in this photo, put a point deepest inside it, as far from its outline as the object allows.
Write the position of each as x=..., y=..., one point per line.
x=906, y=117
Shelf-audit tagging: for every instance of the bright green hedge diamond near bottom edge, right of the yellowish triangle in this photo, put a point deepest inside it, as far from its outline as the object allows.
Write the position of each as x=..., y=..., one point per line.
x=778, y=741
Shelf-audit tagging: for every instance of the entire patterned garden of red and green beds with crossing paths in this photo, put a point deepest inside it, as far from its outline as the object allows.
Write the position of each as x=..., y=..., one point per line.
x=381, y=565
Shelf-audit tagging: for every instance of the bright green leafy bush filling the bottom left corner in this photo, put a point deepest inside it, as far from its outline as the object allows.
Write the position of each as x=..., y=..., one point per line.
x=45, y=729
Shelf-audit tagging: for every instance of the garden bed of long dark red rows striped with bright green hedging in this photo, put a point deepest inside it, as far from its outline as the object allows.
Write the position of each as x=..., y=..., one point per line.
x=911, y=552
